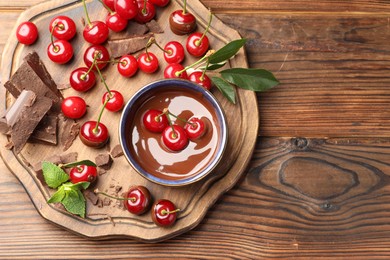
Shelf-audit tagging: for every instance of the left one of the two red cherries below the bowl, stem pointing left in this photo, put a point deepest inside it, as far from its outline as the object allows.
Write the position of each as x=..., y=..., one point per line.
x=138, y=200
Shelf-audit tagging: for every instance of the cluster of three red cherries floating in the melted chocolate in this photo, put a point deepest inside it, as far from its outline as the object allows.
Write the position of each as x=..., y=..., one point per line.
x=174, y=136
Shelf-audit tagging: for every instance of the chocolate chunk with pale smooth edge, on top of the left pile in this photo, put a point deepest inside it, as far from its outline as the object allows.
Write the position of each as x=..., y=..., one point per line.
x=24, y=115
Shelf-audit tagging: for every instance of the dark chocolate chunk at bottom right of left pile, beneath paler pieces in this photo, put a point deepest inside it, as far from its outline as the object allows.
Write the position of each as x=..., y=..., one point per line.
x=46, y=131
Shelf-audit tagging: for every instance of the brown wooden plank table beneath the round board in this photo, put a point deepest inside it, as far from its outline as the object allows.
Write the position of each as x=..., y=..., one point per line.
x=318, y=181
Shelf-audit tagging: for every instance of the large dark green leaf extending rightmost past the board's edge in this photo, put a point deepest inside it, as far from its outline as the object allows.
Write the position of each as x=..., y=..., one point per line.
x=250, y=79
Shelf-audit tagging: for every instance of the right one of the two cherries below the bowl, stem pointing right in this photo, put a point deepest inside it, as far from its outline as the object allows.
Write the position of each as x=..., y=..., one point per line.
x=164, y=213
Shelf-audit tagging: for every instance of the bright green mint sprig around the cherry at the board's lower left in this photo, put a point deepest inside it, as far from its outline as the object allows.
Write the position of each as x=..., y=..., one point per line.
x=68, y=194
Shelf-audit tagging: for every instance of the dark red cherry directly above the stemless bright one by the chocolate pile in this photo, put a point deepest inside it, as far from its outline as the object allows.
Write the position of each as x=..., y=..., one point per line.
x=82, y=79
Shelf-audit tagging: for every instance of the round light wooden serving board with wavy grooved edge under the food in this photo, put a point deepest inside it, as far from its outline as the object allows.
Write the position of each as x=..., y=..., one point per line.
x=112, y=220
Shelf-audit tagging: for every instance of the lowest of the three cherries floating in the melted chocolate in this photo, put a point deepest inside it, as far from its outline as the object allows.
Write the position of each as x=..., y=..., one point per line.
x=175, y=138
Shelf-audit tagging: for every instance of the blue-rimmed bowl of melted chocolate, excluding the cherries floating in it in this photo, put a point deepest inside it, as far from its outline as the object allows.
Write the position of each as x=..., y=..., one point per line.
x=145, y=150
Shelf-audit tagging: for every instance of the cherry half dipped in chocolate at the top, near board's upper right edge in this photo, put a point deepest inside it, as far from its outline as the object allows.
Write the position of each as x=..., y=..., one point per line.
x=182, y=22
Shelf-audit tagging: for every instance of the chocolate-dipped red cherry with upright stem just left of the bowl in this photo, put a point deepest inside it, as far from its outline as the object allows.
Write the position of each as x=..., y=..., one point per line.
x=92, y=136
